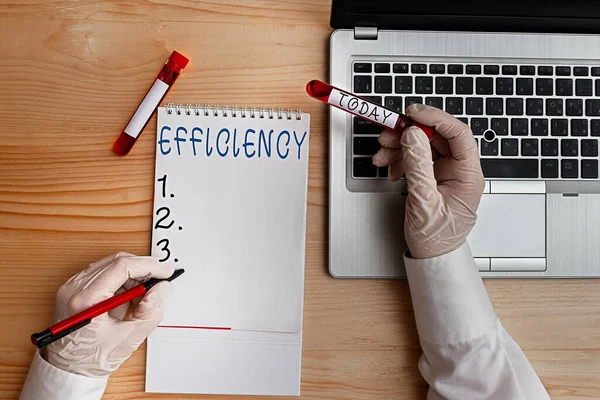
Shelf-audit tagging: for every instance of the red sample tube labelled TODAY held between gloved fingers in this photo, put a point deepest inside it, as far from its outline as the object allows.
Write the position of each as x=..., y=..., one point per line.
x=363, y=108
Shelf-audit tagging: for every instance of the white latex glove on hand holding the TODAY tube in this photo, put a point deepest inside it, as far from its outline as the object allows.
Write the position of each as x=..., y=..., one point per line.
x=444, y=185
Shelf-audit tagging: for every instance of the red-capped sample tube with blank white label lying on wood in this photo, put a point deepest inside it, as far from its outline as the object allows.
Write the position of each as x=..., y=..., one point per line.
x=165, y=79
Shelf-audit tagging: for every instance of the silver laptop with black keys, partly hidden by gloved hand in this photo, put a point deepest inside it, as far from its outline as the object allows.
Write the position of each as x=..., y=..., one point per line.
x=525, y=76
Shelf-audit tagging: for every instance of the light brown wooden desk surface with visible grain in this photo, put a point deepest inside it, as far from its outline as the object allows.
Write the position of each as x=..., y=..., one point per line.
x=72, y=73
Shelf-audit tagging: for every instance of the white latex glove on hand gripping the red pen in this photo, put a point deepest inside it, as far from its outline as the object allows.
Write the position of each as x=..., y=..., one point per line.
x=102, y=346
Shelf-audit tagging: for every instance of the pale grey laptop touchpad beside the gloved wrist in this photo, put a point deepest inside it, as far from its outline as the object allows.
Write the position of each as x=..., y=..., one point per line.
x=510, y=225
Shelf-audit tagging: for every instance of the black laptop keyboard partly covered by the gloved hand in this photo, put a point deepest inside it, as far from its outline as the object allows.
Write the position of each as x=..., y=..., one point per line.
x=529, y=121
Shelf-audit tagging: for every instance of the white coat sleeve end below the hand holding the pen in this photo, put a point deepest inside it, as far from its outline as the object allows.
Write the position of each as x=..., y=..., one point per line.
x=45, y=381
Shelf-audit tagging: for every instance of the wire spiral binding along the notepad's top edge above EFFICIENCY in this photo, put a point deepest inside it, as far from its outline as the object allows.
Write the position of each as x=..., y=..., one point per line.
x=227, y=111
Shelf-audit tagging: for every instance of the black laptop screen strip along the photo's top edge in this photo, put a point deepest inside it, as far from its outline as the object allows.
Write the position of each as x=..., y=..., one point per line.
x=505, y=15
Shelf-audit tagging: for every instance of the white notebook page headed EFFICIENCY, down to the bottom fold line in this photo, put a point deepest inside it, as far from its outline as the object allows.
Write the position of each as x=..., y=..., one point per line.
x=230, y=208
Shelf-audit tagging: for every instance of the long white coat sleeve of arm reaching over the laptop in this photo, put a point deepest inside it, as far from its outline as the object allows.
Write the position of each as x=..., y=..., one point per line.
x=467, y=353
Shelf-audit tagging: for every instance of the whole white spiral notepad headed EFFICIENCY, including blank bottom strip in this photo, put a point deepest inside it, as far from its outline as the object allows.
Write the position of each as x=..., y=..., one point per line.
x=230, y=207
